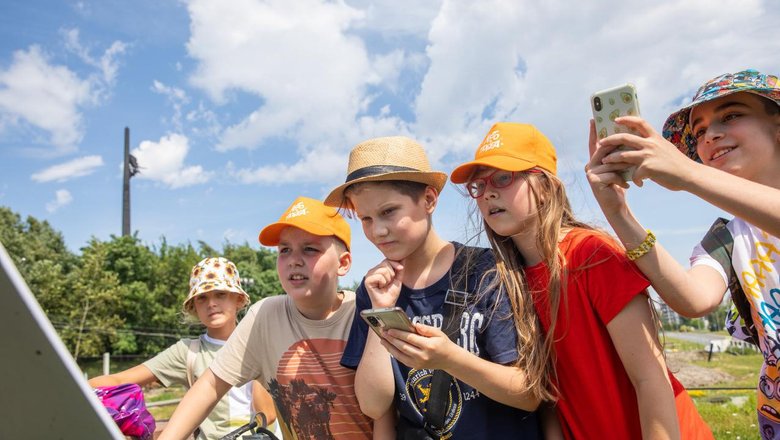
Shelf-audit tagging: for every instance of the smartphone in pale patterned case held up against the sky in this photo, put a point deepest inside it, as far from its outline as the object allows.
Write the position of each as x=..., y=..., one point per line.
x=609, y=104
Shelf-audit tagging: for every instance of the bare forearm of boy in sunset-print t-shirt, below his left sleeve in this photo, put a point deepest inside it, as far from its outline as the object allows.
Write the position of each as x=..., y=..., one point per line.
x=195, y=406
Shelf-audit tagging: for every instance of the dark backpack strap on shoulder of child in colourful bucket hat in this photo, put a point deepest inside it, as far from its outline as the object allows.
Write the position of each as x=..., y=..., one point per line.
x=719, y=243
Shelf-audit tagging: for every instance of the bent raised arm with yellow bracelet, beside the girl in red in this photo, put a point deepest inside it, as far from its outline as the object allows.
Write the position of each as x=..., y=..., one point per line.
x=694, y=292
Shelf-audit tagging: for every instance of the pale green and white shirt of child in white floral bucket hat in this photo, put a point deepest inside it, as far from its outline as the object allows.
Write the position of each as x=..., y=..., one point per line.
x=170, y=367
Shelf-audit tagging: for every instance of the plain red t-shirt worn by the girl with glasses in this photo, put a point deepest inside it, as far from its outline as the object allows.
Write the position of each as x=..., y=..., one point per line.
x=597, y=399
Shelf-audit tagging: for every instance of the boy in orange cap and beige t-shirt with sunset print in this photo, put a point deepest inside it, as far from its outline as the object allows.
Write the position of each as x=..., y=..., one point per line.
x=292, y=343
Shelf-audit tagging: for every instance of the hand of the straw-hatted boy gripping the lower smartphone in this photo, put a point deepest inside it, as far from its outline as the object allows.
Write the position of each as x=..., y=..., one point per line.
x=428, y=348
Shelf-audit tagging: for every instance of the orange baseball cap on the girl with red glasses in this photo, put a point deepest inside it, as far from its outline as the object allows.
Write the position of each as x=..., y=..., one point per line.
x=510, y=146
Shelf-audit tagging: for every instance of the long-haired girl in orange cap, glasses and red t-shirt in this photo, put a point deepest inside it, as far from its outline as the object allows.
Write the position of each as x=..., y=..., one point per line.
x=610, y=375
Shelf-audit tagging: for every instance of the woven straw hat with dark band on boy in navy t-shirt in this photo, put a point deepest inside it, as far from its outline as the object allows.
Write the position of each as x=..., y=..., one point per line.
x=387, y=158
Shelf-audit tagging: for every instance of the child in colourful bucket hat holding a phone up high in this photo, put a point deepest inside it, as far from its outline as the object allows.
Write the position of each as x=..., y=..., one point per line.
x=731, y=130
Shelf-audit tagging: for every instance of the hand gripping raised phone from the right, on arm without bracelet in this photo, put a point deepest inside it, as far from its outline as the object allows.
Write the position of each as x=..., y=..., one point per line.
x=655, y=158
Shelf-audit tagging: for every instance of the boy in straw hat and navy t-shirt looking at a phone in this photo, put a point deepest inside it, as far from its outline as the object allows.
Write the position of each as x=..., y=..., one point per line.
x=390, y=187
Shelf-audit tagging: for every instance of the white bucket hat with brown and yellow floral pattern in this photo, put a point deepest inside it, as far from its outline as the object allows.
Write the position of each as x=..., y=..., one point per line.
x=215, y=273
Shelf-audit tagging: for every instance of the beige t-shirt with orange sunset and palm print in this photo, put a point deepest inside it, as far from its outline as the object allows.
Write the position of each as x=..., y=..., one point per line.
x=297, y=361
